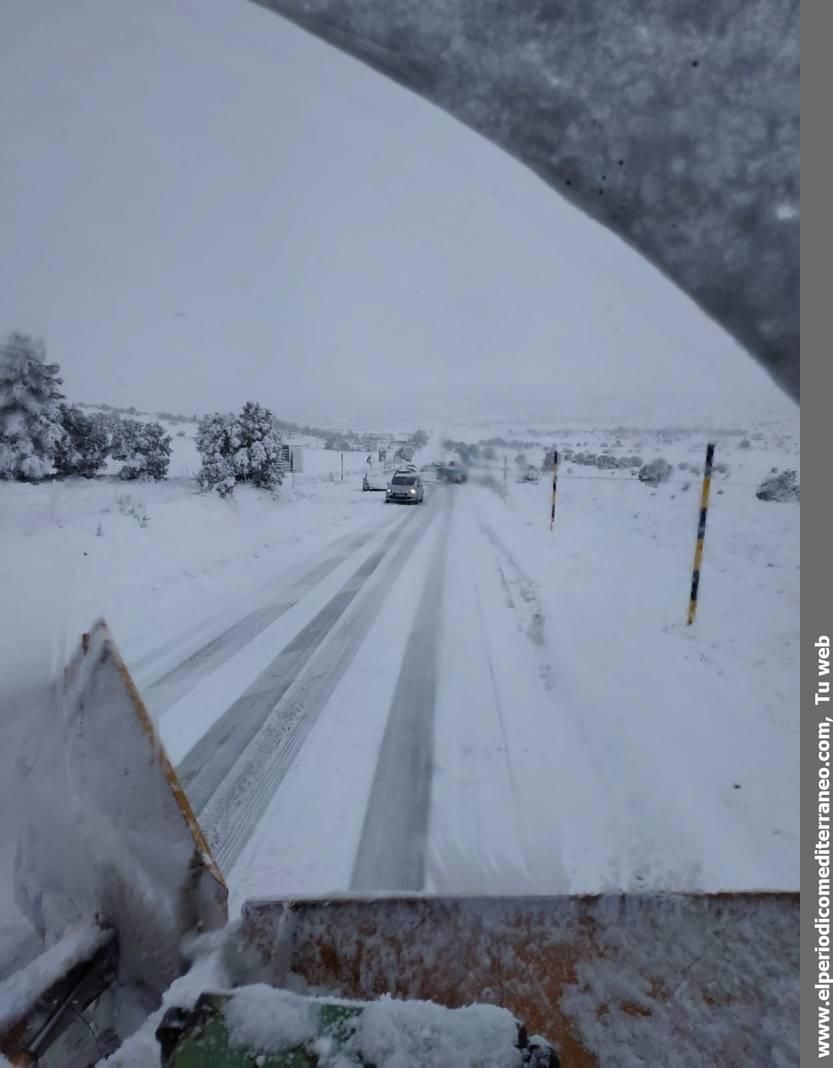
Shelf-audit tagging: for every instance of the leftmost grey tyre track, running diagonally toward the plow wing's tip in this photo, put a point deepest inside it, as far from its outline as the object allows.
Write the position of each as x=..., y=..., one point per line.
x=175, y=684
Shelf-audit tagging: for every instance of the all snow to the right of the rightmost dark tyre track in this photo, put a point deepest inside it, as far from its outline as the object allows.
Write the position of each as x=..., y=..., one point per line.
x=657, y=756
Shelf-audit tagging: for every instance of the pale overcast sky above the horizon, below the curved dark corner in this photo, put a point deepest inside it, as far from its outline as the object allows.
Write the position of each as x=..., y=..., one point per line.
x=200, y=205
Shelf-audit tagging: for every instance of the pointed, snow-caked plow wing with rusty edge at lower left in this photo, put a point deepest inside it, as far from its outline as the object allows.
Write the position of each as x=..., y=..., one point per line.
x=111, y=839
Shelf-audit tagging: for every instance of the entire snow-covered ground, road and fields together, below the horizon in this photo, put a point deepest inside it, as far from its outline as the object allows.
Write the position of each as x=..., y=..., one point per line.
x=451, y=698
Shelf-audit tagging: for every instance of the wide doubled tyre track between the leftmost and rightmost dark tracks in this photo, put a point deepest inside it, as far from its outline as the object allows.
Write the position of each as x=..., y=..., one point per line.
x=242, y=796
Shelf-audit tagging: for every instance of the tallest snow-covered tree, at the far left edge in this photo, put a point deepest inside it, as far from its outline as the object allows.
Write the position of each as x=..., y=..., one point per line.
x=30, y=418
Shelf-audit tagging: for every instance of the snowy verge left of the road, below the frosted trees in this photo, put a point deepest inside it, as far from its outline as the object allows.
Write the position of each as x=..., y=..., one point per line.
x=154, y=559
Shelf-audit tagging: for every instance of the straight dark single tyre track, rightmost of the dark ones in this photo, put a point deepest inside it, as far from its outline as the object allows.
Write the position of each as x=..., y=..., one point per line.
x=392, y=849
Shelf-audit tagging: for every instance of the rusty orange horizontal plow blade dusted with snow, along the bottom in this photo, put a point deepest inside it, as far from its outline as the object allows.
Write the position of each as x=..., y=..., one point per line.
x=705, y=979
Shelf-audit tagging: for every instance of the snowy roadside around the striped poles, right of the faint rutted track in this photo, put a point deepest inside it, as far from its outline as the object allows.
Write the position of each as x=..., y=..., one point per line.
x=680, y=743
